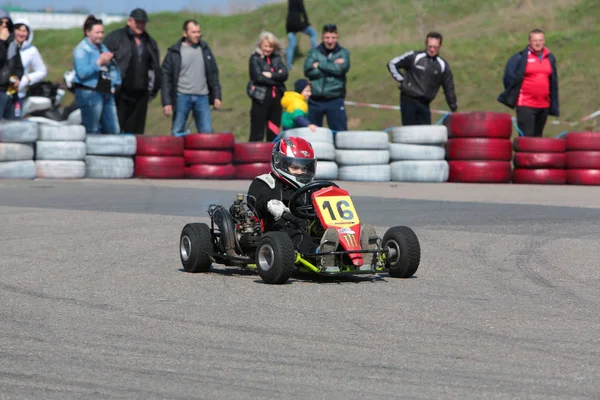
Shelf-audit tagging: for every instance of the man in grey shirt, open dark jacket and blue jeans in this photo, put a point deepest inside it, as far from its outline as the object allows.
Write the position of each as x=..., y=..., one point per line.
x=190, y=81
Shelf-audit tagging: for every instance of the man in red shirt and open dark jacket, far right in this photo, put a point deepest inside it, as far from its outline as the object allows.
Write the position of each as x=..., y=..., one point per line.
x=531, y=85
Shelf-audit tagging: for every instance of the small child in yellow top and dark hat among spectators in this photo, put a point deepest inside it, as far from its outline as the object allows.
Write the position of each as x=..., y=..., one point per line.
x=295, y=106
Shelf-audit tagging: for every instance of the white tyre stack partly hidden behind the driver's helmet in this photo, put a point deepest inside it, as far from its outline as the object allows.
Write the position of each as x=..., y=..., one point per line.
x=322, y=142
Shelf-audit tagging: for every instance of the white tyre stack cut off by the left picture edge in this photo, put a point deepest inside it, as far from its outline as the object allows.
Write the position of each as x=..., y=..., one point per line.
x=17, y=141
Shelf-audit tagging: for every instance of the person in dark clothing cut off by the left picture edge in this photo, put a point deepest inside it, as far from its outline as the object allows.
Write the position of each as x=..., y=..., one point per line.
x=11, y=68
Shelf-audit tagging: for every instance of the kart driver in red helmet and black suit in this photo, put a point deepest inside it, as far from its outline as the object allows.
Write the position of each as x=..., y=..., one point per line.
x=293, y=165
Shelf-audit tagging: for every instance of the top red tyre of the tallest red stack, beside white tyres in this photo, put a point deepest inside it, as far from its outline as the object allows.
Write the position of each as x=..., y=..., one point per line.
x=480, y=124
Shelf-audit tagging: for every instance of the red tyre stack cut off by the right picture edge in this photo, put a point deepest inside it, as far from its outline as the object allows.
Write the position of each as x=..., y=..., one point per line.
x=583, y=158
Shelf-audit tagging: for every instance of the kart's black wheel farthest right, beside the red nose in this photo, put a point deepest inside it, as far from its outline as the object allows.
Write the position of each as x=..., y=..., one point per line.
x=404, y=253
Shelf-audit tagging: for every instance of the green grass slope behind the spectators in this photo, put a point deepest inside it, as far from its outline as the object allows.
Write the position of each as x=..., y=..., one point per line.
x=479, y=38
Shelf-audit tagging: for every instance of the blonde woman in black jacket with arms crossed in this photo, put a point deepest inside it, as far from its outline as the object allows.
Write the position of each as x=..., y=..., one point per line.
x=267, y=76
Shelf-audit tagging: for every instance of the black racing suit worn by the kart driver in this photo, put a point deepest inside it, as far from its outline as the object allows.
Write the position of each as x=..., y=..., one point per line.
x=259, y=195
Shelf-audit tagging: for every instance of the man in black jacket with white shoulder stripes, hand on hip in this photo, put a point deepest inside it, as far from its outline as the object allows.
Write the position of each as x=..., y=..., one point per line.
x=425, y=72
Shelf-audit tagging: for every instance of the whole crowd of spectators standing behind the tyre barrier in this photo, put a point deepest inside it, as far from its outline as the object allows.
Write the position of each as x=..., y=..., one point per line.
x=117, y=75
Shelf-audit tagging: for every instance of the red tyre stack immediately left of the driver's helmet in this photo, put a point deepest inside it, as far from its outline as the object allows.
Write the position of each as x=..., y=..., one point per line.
x=252, y=159
